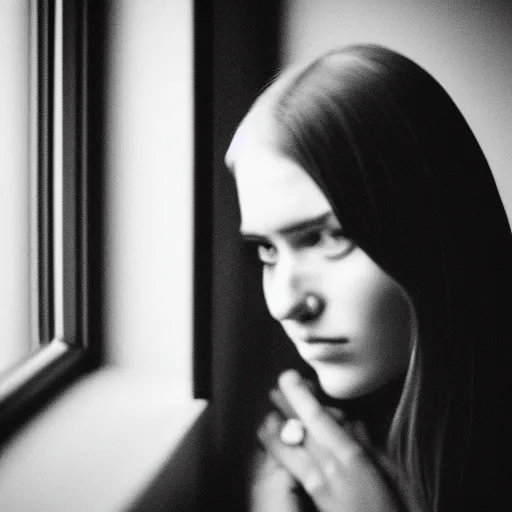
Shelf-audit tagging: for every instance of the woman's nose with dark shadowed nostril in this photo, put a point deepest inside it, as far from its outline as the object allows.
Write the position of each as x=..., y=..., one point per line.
x=292, y=292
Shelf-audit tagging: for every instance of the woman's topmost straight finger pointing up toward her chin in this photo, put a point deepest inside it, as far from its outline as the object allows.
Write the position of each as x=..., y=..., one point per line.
x=318, y=421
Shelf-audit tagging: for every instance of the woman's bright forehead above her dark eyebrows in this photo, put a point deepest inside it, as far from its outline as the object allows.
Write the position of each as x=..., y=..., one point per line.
x=274, y=191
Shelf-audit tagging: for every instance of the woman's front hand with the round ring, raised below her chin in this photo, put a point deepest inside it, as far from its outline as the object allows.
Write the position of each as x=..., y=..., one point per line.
x=332, y=467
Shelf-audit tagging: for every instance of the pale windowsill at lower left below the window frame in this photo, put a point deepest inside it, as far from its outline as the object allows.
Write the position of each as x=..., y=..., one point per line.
x=98, y=446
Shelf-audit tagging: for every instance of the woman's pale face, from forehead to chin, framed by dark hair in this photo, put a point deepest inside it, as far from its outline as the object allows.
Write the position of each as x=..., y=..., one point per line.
x=360, y=336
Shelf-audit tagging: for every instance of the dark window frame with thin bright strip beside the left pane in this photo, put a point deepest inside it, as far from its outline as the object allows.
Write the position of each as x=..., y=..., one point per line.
x=60, y=357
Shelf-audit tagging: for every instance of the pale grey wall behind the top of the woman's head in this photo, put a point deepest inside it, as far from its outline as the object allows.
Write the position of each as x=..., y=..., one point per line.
x=465, y=44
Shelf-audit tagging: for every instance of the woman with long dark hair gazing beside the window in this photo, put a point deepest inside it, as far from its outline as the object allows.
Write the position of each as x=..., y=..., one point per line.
x=386, y=258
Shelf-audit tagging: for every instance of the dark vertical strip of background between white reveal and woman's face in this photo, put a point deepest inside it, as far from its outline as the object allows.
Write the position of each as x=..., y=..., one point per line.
x=248, y=349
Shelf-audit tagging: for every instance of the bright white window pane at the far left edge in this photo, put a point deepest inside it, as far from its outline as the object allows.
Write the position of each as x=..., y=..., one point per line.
x=14, y=175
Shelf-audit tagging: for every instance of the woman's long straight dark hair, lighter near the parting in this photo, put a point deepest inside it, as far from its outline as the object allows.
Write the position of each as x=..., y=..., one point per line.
x=407, y=178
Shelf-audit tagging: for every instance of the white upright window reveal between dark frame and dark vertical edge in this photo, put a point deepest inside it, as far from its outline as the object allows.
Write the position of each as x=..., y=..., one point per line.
x=149, y=188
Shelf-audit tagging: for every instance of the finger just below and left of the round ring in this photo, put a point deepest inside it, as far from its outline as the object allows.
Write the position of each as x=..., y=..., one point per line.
x=295, y=459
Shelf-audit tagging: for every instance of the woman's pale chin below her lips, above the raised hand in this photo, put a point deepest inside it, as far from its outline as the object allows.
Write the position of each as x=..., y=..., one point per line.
x=346, y=384
